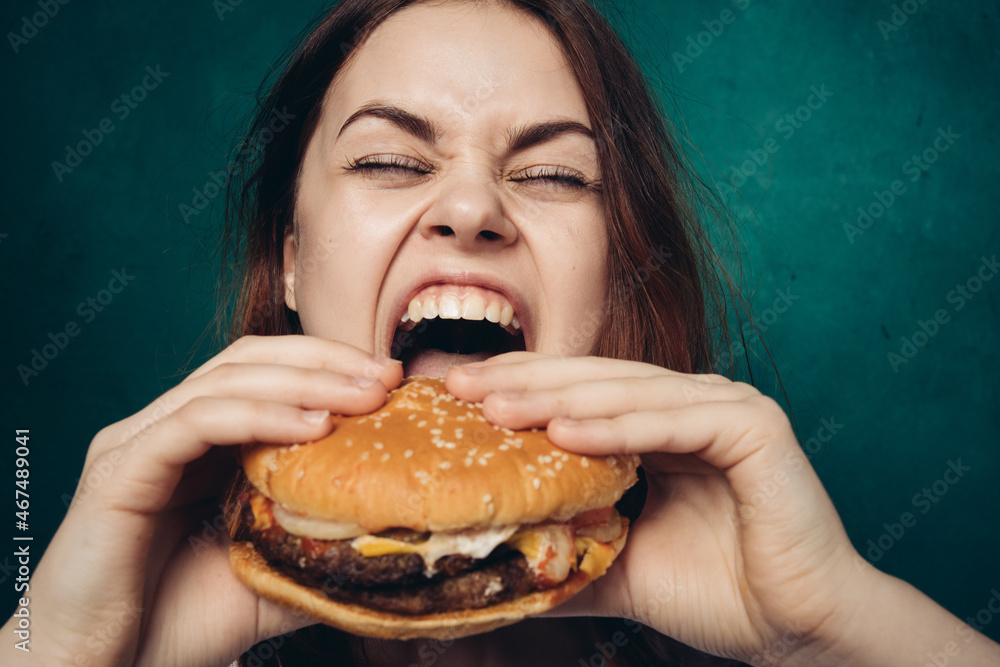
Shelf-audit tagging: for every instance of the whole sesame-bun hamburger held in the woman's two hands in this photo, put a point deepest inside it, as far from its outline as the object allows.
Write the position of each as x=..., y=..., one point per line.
x=425, y=520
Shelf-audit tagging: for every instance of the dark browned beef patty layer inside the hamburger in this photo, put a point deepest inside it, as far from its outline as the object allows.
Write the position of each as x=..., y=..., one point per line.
x=394, y=583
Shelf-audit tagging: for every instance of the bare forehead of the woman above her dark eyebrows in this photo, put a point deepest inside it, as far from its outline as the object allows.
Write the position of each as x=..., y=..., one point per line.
x=466, y=63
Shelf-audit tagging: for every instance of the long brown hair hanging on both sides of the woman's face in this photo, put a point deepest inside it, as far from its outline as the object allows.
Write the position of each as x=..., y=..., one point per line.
x=663, y=287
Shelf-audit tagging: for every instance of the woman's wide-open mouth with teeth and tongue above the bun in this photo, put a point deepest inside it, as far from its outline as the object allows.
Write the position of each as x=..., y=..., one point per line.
x=450, y=325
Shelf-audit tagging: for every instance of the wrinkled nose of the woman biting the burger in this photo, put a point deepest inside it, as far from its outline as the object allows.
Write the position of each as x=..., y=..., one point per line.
x=470, y=214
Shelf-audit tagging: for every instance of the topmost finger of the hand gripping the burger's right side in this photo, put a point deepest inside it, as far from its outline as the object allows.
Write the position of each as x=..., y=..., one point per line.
x=473, y=382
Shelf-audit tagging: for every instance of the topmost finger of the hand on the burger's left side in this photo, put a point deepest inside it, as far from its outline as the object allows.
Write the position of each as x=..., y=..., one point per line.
x=307, y=352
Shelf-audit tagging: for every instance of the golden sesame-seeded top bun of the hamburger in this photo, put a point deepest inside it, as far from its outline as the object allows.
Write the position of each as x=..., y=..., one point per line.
x=428, y=461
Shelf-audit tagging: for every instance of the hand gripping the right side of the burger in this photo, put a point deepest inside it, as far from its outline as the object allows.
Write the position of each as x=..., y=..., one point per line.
x=739, y=550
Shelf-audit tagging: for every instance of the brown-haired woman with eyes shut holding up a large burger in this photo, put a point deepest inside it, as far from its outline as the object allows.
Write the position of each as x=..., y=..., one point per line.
x=507, y=151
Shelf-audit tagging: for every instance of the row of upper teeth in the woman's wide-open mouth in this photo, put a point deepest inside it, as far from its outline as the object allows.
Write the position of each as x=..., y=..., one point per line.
x=473, y=304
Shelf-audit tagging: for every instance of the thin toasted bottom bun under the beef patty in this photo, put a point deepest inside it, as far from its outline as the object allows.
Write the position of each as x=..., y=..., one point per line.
x=251, y=568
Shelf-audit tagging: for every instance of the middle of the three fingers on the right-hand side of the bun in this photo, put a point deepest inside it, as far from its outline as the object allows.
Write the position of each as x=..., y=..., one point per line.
x=607, y=398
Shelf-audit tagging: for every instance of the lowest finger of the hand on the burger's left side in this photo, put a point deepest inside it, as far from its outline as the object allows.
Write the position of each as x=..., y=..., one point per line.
x=145, y=471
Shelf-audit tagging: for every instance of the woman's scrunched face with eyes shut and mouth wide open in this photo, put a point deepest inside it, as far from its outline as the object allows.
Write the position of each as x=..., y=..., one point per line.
x=451, y=179
